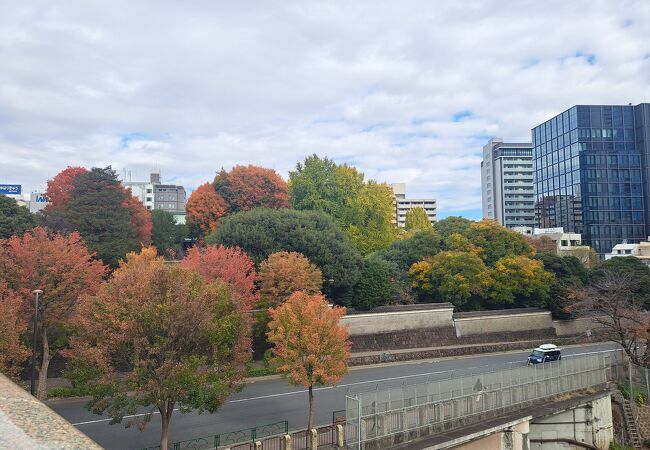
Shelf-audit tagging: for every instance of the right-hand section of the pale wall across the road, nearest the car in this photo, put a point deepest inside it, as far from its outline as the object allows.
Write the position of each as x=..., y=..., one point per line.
x=495, y=322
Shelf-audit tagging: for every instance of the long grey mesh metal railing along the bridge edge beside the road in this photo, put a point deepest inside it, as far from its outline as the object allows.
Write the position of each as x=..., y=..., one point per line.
x=457, y=400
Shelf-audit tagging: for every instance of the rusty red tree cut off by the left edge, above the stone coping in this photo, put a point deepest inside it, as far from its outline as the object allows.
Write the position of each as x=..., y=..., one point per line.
x=12, y=352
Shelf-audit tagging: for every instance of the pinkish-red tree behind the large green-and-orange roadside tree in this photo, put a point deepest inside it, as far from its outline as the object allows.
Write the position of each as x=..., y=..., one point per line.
x=228, y=264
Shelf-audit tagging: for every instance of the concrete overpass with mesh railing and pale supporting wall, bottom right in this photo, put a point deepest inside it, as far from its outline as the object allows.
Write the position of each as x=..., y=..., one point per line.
x=564, y=404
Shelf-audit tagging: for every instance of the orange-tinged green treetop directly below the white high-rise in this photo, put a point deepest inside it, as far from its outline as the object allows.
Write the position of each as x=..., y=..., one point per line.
x=495, y=241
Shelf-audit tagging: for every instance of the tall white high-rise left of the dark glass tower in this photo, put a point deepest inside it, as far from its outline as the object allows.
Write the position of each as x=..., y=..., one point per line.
x=507, y=183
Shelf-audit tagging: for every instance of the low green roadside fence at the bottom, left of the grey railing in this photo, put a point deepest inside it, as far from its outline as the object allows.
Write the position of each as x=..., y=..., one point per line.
x=230, y=438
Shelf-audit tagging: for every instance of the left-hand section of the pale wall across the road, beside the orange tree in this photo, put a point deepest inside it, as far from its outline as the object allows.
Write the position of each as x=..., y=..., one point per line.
x=403, y=319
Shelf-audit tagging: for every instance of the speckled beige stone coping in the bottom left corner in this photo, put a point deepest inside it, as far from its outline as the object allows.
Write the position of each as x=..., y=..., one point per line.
x=29, y=424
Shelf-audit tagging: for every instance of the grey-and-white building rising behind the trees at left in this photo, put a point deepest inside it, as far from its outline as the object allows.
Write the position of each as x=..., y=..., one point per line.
x=155, y=195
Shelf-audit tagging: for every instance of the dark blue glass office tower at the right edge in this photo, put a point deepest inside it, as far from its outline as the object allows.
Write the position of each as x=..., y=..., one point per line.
x=592, y=167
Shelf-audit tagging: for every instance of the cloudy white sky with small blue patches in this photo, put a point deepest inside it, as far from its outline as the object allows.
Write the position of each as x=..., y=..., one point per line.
x=406, y=91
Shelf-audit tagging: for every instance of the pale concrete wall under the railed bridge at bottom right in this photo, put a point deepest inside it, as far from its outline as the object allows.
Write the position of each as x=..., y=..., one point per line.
x=590, y=423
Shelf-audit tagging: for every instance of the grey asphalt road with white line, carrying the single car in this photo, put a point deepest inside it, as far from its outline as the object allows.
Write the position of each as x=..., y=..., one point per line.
x=268, y=401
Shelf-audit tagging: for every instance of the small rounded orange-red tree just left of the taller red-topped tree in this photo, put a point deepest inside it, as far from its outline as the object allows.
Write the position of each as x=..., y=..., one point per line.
x=205, y=209
